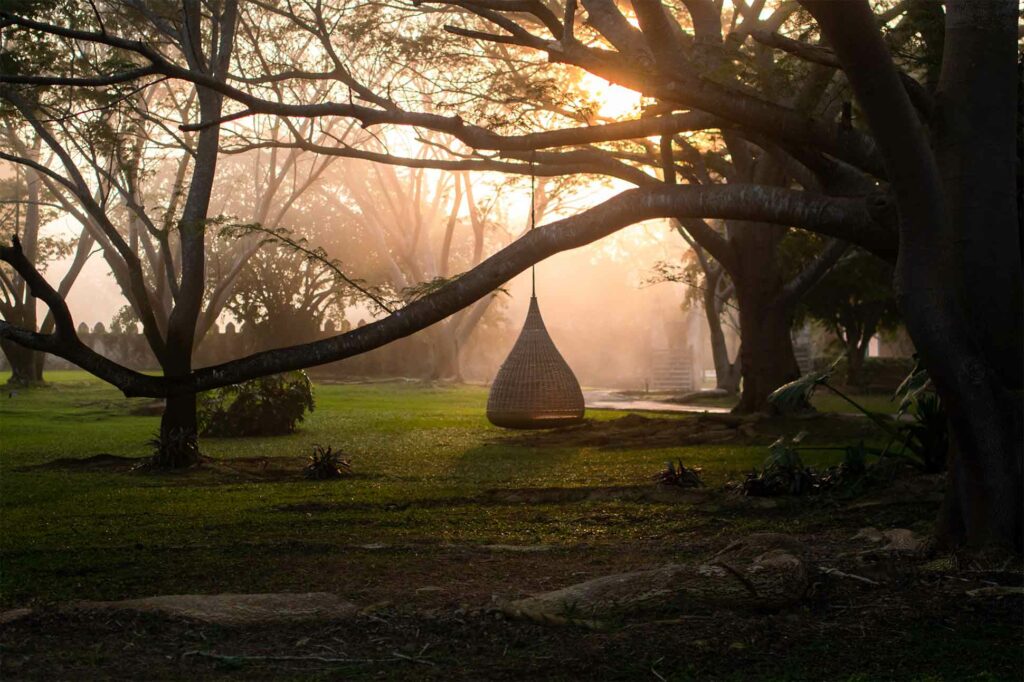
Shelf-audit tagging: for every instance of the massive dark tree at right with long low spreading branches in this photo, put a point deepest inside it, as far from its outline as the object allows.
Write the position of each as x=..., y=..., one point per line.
x=949, y=216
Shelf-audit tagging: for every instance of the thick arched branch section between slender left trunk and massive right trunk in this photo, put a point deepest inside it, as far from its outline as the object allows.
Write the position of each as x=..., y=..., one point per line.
x=847, y=219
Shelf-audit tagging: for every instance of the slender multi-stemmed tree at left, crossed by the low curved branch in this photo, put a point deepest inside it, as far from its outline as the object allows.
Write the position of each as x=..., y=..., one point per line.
x=105, y=140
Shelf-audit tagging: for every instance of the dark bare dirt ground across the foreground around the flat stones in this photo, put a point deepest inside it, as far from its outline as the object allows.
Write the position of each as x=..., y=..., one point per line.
x=871, y=614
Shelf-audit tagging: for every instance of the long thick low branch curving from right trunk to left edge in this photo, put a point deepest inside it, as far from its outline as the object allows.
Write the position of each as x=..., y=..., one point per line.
x=845, y=219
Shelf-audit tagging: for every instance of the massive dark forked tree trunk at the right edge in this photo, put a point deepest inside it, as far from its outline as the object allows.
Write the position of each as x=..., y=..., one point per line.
x=959, y=274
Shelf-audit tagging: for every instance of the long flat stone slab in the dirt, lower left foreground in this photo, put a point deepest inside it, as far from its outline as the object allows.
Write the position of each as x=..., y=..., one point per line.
x=237, y=610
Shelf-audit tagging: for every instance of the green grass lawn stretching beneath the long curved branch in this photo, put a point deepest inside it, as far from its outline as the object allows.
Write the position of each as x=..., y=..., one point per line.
x=421, y=448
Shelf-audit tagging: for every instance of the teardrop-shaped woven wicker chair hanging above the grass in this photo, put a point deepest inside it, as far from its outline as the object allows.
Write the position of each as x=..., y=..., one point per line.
x=535, y=389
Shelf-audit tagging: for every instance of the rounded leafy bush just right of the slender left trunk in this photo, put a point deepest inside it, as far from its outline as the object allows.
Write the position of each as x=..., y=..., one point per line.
x=270, y=406
